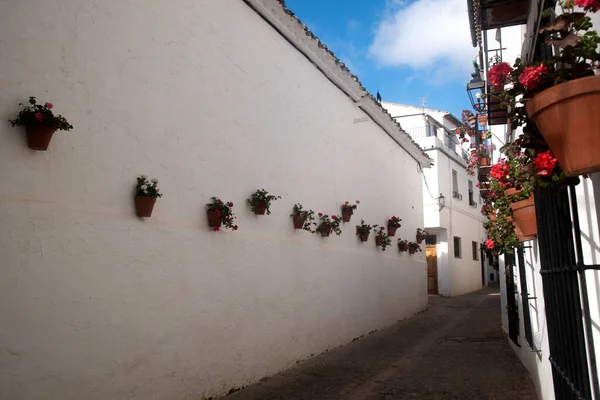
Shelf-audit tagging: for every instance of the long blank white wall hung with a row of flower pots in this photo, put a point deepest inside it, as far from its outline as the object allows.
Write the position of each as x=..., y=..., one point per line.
x=209, y=99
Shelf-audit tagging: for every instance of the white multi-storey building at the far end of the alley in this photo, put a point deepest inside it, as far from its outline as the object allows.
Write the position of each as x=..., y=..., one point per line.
x=451, y=202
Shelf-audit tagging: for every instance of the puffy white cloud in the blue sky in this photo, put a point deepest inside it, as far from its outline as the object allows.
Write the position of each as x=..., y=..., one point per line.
x=429, y=35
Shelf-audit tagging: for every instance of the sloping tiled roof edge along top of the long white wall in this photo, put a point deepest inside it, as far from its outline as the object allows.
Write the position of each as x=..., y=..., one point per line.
x=294, y=31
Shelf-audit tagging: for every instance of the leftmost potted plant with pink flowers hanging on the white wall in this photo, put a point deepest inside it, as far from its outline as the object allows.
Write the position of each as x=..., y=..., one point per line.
x=40, y=123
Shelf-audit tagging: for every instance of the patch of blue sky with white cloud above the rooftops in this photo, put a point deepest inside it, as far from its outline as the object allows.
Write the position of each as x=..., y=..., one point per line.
x=406, y=49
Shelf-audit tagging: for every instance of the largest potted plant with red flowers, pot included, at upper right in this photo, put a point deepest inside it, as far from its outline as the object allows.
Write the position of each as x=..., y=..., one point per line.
x=557, y=102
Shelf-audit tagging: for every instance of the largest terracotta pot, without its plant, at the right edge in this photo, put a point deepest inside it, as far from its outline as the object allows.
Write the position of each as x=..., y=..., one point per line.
x=567, y=116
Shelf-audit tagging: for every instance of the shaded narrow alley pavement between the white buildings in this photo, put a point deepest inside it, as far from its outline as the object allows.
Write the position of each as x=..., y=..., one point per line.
x=454, y=350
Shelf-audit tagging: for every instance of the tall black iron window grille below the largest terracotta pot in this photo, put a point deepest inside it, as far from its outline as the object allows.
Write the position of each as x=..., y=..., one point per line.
x=572, y=354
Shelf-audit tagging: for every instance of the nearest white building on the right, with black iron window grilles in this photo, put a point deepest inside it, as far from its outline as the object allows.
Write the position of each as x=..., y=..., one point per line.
x=553, y=285
